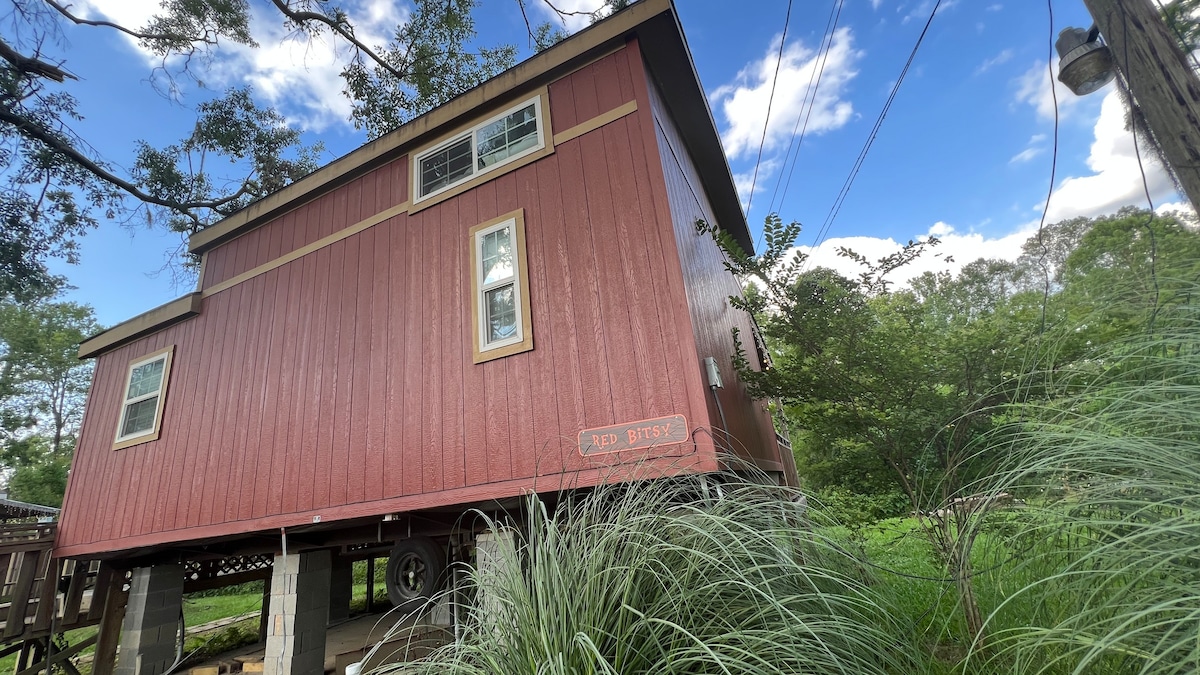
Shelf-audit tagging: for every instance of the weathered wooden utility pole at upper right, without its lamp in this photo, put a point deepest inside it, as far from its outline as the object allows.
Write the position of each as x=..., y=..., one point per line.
x=1160, y=80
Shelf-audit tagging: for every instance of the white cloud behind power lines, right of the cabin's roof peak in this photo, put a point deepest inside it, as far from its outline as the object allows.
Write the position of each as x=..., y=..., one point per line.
x=745, y=103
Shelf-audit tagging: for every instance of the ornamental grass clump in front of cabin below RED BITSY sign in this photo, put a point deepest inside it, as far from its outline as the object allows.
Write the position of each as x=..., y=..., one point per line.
x=652, y=577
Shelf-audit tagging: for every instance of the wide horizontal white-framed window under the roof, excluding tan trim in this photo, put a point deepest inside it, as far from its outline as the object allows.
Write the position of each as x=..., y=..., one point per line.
x=490, y=145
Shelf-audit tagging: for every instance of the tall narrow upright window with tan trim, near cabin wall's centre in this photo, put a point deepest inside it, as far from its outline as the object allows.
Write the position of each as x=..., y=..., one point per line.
x=500, y=289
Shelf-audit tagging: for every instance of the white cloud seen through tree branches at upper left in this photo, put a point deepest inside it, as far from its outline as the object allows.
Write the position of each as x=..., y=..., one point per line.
x=301, y=77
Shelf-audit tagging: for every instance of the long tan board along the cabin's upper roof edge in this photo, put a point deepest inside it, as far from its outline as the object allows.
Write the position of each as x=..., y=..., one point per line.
x=508, y=86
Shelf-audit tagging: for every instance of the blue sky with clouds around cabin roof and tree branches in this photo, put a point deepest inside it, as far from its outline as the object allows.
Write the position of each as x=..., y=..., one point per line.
x=964, y=153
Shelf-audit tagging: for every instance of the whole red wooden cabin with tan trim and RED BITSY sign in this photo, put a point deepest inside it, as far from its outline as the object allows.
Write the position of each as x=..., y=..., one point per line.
x=508, y=294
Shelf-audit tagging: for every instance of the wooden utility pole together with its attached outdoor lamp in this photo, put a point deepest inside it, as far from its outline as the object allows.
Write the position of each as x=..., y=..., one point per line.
x=1154, y=69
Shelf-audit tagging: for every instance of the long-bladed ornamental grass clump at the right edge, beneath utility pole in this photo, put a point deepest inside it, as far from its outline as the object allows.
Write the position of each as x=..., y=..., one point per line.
x=1114, y=551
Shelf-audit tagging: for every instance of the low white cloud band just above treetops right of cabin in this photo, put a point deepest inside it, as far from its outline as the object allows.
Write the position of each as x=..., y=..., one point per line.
x=951, y=255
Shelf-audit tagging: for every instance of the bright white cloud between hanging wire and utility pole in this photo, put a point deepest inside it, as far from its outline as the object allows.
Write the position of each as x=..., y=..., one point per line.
x=1117, y=180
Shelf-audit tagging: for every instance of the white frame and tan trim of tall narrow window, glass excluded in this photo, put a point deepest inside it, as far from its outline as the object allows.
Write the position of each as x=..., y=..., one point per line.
x=521, y=341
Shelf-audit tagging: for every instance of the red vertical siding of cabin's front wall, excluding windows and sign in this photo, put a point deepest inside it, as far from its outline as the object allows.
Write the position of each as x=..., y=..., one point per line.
x=343, y=385
